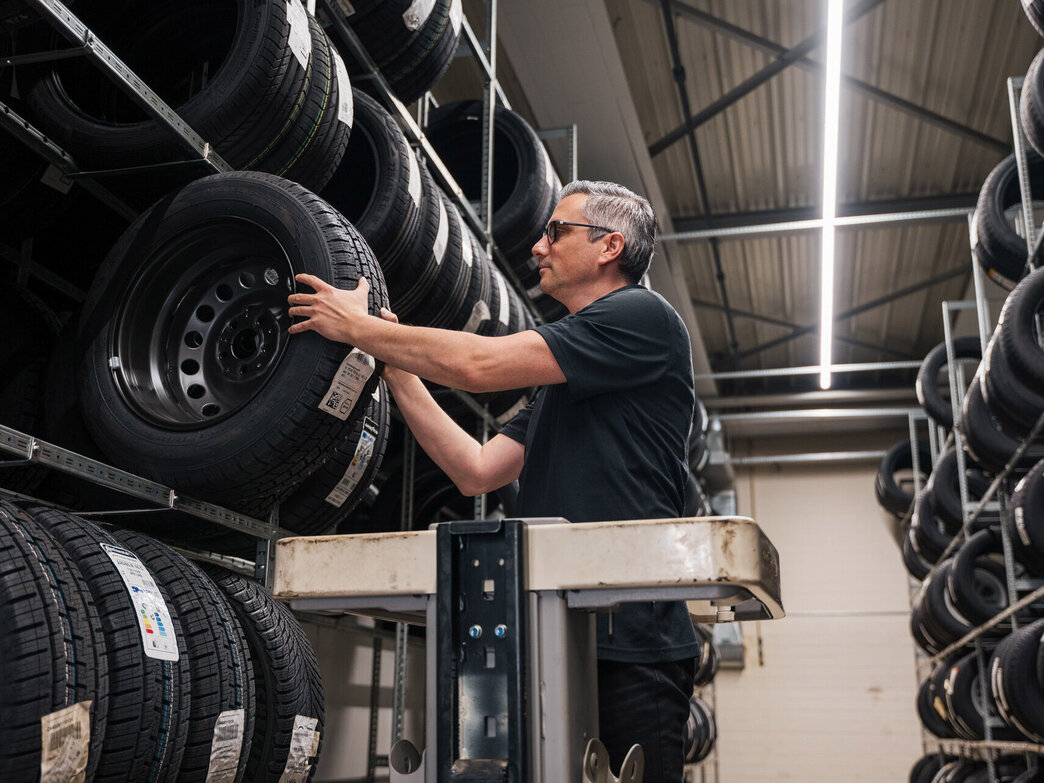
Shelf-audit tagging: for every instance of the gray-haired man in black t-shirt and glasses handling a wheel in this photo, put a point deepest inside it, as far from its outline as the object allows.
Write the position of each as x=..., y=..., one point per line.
x=605, y=439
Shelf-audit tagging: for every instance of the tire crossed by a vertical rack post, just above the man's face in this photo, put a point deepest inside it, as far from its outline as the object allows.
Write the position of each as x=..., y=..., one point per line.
x=526, y=186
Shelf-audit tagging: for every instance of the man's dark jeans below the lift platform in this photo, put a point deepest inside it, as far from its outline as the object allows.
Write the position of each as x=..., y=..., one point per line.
x=646, y=704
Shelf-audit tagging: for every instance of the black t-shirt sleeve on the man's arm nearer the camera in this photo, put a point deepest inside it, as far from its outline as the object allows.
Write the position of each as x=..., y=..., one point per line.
x=620, y=342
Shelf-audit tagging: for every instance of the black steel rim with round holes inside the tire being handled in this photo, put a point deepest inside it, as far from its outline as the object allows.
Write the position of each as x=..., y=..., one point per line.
x=203, y=327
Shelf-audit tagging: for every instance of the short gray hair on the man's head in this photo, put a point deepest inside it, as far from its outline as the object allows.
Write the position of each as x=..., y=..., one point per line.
x=624, y=211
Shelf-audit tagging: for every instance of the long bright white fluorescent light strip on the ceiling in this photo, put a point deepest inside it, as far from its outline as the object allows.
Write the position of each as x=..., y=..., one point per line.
x=832, y=113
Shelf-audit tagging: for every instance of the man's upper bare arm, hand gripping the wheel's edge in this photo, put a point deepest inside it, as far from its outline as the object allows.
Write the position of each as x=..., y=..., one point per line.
x=458, y=360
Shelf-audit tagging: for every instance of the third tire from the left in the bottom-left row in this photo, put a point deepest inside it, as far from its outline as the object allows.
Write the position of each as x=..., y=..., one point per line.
x=222, y=676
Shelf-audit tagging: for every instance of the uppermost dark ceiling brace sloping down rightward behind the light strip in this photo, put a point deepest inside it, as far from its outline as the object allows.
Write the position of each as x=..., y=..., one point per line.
x=776, y=51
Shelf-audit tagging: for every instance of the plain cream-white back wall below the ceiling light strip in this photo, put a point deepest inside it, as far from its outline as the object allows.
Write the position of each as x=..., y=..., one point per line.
x=828, y=694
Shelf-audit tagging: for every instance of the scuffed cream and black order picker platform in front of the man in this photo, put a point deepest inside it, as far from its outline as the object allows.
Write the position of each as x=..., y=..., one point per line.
x=511, y=676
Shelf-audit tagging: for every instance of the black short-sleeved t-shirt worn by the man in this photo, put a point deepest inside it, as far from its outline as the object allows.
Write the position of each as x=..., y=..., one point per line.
x=610, y=444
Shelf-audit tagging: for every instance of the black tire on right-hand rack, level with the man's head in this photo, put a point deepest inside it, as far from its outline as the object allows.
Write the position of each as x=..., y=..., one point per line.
x=1001, y=252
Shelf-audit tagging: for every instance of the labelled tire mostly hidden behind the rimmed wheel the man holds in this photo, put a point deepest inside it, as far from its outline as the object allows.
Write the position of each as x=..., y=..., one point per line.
x=333, y=491
